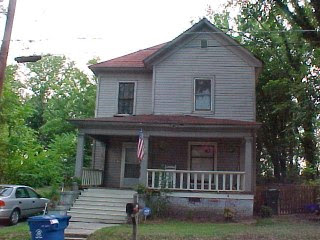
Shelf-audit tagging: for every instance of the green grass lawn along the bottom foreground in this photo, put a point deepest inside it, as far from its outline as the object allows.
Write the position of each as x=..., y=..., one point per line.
x=278, y=228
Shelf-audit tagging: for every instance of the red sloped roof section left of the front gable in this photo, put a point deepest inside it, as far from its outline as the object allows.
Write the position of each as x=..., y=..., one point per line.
x=132, y=60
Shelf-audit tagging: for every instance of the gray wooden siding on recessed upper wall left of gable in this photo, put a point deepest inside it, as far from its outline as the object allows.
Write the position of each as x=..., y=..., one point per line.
x=107, y=105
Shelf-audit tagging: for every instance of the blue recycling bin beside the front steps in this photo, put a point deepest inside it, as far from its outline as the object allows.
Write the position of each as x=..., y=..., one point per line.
x=48, y=227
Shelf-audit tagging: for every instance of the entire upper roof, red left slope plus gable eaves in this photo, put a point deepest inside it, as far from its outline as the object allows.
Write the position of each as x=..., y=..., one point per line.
x=144, y=58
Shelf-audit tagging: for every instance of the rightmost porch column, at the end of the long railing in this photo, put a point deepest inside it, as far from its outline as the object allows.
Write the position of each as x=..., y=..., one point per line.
x=248, y=164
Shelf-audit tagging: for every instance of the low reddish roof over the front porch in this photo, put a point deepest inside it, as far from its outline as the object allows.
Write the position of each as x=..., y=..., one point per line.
x=170, y=119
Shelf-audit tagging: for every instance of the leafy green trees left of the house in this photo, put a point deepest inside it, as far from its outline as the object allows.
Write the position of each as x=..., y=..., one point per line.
x=37, y=143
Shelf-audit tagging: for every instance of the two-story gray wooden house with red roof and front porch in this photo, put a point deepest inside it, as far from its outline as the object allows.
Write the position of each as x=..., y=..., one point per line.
x=194, y=99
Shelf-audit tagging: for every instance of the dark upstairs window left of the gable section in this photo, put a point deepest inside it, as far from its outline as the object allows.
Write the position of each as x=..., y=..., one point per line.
x=126, y=98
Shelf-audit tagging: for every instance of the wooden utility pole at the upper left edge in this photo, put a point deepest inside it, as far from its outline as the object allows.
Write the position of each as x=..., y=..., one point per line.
x=6, y=42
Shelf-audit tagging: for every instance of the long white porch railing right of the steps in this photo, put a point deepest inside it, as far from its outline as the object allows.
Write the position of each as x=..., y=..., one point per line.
x=196, y=180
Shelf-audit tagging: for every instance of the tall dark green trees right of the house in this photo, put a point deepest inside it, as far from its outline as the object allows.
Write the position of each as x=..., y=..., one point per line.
x=288, y=88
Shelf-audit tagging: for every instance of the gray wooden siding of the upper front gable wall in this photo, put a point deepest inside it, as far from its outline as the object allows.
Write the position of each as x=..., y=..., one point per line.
x=234, y=81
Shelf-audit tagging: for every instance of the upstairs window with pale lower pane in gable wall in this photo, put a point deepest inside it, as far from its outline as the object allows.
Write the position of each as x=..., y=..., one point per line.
x=202, y=95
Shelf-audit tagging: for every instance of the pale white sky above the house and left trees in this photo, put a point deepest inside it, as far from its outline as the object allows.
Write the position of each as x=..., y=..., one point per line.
x=82, y=29
